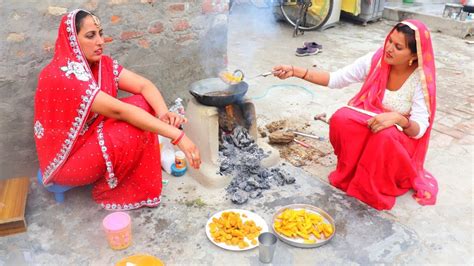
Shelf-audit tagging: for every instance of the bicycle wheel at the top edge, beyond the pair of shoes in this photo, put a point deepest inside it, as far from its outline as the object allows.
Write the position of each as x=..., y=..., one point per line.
x=317, y=15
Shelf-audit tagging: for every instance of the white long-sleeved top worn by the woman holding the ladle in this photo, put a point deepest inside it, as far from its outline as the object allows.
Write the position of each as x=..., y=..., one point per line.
x=408, y=100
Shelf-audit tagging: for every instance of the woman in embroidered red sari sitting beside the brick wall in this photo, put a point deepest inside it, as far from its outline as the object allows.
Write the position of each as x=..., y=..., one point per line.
x=85, y=135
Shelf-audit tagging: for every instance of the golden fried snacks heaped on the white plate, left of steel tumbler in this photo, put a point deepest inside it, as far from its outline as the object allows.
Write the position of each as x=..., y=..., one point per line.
x=231, y=230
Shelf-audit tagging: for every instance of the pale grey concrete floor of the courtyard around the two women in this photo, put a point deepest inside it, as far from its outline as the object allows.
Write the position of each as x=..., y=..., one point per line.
x=70, y=234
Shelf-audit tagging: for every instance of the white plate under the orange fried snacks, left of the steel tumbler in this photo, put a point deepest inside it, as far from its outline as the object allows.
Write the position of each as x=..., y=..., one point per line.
x=250, y=216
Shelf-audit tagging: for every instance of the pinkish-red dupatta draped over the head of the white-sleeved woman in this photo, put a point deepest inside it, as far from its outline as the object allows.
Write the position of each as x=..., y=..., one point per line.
x=372, y=92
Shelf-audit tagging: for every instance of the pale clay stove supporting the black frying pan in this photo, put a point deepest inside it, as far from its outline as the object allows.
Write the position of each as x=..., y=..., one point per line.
x=208, y=125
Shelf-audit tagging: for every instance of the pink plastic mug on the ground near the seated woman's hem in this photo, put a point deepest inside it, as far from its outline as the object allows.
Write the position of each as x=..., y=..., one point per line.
x=118, y=229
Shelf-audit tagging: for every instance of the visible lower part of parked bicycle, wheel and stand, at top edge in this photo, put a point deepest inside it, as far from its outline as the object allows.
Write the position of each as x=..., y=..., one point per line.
x=306, y=15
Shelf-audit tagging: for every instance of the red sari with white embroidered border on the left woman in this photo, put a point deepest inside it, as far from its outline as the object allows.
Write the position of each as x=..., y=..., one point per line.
x=76, y=146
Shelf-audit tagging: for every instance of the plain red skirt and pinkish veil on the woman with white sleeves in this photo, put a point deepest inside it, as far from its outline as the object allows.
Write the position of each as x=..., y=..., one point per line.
x=378, y=167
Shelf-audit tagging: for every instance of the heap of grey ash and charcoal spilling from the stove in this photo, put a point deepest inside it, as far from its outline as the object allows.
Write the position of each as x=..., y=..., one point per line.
x=241, y=157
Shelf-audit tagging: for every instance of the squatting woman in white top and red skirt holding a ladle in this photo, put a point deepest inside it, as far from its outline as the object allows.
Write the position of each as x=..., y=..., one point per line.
x=381, y=155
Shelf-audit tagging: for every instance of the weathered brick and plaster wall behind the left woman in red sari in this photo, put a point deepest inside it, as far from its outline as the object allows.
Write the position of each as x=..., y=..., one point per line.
x=172, y=43
